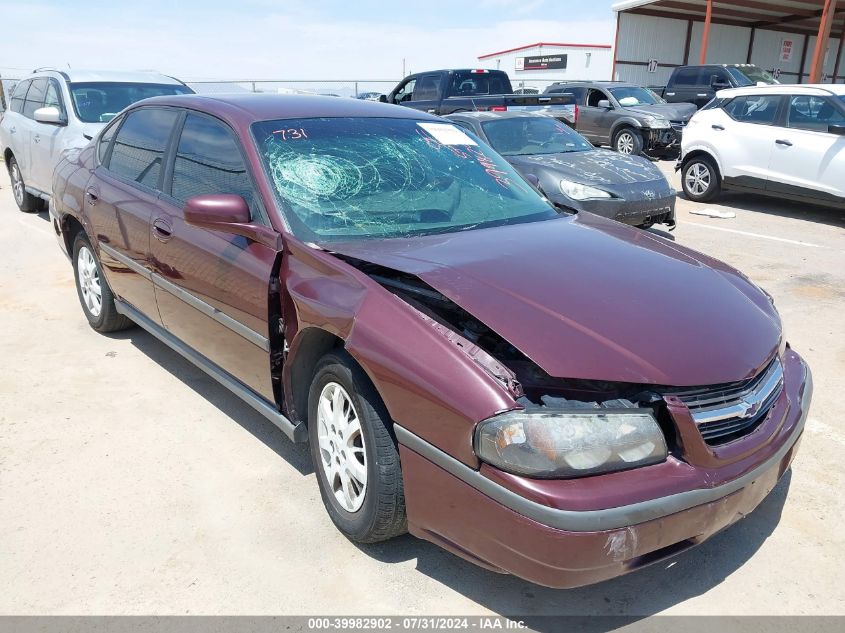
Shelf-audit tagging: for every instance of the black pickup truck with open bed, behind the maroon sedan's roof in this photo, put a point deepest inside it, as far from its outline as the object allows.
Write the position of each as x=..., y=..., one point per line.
x=448, y=91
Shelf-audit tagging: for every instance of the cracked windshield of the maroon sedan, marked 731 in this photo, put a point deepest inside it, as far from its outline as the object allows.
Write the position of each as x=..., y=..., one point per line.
x=370, y=177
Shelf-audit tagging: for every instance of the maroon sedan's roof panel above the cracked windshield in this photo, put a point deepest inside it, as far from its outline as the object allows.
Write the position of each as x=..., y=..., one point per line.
x=244, y=109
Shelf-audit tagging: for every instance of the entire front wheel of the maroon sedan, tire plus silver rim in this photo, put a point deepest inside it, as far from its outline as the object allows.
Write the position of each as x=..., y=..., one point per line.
x=354, y=452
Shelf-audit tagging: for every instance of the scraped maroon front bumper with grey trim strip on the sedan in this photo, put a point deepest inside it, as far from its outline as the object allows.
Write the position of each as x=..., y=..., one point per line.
x=488, y=524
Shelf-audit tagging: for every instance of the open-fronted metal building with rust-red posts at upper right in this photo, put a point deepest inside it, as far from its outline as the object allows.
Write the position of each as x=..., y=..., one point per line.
x=800, y=41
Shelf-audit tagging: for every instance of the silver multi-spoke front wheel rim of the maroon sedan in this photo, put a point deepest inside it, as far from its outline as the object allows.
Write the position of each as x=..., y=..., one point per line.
x=341, y=443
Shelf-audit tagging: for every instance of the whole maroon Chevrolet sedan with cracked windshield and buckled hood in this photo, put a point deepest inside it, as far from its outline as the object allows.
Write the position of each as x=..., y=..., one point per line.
x=560, y=397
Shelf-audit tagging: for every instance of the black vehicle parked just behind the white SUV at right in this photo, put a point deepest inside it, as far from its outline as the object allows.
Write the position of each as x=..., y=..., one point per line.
x=699, y=84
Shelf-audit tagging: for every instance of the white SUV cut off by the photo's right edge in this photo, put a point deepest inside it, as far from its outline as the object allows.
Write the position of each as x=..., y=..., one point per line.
x=785, y=141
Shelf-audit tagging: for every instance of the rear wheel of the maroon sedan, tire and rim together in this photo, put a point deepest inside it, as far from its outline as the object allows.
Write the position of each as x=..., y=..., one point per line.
x=95, y=296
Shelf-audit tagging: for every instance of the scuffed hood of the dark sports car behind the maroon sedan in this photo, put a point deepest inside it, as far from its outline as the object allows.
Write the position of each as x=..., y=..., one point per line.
x=599, y=167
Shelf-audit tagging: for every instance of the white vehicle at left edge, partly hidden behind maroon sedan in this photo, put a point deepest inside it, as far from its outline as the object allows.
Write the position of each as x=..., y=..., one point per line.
x=52, y=111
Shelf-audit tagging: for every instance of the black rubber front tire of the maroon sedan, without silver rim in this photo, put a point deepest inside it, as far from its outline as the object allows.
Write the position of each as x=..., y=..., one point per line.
x=381, y=515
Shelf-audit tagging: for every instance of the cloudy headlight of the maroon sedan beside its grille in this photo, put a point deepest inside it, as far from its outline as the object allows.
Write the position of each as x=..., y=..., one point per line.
x=563, y=444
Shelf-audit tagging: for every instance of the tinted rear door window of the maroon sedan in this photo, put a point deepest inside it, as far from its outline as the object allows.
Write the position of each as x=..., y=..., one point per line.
x=138, y=150
